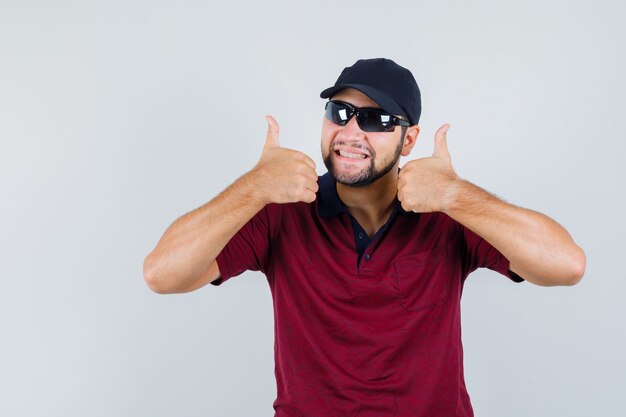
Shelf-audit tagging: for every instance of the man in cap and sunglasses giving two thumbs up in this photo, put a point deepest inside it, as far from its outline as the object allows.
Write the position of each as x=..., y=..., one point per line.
x=366, y=263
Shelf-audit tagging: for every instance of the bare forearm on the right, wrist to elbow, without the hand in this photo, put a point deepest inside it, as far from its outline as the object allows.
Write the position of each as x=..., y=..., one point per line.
x=538, y=248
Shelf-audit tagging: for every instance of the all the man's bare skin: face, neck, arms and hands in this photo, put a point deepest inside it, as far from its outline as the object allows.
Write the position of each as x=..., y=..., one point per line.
x=538, y=248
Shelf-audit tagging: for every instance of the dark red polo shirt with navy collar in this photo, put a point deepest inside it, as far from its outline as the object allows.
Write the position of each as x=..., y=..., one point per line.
x=363, y=327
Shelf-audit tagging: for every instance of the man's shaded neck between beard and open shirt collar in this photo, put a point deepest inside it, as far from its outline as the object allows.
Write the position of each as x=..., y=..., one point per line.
x=372, y=204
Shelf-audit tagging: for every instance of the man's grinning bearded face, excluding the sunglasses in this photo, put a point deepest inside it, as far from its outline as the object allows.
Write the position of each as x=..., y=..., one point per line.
x=354, y=157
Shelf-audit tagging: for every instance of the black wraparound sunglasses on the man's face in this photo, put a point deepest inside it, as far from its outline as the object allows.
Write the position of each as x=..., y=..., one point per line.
x=369, y=119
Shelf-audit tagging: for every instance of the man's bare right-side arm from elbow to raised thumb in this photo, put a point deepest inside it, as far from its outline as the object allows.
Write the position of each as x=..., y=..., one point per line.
x=538, y=248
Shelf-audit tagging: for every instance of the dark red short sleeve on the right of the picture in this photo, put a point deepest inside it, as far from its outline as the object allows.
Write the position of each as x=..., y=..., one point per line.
x=481, y=254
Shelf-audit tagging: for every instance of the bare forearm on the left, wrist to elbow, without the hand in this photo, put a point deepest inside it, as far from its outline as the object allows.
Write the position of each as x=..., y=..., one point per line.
x=190, y=245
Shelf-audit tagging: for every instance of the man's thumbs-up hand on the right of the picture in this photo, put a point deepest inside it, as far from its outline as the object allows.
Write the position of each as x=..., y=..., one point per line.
x=427, y=184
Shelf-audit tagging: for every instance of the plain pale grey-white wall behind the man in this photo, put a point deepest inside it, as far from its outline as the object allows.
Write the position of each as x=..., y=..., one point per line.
x=118, y=117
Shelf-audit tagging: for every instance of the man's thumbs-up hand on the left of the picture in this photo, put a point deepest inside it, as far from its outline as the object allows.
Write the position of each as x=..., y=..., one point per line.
x=284, y=175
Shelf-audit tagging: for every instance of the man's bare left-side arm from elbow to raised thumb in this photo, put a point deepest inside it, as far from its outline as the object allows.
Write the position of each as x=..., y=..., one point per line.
x=184, y=258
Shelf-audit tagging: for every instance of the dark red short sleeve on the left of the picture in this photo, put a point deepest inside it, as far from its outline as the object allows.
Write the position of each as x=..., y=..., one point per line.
x=247, y=250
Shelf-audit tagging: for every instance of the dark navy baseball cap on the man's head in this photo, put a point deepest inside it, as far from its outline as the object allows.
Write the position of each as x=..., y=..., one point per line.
x=387, y=83
